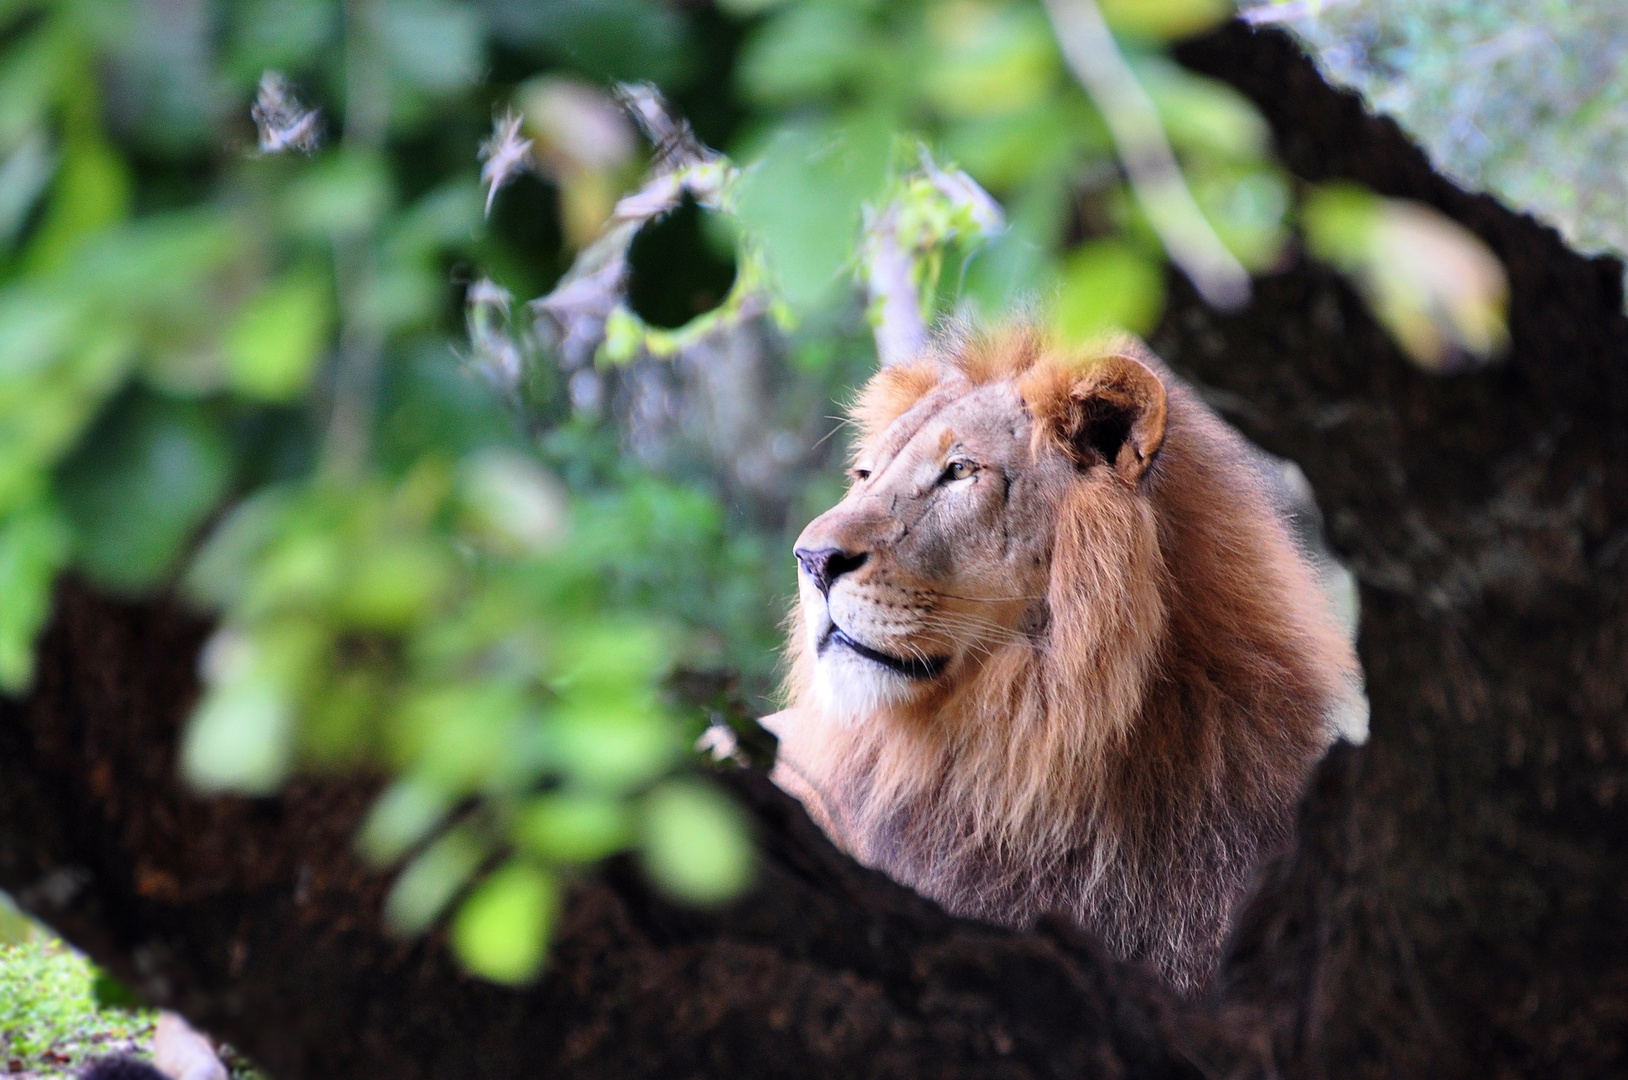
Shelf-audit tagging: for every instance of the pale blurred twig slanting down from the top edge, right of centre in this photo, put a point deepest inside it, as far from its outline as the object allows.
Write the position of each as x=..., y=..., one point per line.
x=1150, y=164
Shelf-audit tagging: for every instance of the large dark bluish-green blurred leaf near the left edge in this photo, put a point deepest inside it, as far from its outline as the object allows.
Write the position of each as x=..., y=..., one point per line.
x=139, y=488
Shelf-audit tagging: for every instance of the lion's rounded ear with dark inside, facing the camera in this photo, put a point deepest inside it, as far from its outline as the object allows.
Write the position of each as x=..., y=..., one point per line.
x=1118, y=416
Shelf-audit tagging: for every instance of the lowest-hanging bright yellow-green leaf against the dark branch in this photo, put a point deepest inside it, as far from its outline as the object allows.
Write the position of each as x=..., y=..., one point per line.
x=502, y=931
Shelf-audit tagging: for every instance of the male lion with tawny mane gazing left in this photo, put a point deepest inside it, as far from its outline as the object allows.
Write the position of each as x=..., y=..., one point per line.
x=1057, y=651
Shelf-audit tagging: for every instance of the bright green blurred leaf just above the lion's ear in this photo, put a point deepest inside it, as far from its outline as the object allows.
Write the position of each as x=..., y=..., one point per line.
x=1108, y=286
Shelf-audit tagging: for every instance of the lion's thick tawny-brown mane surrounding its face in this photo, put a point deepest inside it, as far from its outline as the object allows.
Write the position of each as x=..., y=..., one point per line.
x=1136, y=762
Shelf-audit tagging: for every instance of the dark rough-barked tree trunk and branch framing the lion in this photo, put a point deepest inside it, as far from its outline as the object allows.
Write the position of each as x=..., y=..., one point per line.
x=1456, y=905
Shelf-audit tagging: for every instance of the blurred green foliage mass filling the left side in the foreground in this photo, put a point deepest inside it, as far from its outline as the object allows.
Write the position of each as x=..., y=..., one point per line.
x=237, y=374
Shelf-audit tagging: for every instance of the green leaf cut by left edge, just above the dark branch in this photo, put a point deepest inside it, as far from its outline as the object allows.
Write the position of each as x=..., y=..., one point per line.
x=33, y=548
